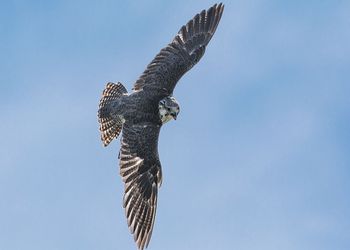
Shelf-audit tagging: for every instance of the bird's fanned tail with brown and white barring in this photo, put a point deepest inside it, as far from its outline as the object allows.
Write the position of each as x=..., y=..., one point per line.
x=110, y=125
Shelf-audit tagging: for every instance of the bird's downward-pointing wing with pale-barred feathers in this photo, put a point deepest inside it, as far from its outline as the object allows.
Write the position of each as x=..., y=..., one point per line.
x=141, y=172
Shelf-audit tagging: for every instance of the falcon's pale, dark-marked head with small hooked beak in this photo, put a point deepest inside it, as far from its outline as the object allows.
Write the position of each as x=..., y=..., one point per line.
x=168, y=109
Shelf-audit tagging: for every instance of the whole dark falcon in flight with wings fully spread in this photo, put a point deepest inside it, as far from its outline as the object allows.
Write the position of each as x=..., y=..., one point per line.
x=139, y=115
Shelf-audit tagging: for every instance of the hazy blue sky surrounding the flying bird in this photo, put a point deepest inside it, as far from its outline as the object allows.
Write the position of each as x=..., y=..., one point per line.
x=258, y=158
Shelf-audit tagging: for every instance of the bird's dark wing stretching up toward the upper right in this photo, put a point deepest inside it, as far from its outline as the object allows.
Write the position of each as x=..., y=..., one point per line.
x=187, y=48
